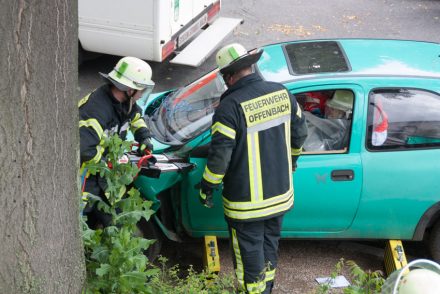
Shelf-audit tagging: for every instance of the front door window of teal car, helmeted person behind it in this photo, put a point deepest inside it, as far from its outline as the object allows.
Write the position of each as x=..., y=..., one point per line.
x=329, y=116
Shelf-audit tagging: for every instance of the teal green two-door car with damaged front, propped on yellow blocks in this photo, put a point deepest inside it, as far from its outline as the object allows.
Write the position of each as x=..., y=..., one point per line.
x=373, y=172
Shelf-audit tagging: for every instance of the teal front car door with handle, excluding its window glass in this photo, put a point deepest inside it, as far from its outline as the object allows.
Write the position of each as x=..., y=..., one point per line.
x=315, y=191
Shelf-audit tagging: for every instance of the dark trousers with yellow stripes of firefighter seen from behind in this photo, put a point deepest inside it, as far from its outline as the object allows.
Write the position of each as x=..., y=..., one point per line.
x=255, y=253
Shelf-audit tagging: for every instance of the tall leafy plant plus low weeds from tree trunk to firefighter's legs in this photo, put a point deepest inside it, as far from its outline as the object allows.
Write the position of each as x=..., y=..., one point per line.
x=115, y=260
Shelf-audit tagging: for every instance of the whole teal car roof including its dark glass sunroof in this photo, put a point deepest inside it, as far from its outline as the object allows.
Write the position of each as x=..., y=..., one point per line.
x=363, y=57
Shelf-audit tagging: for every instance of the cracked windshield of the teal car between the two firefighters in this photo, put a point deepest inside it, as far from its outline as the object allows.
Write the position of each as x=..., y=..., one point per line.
x=187, y=112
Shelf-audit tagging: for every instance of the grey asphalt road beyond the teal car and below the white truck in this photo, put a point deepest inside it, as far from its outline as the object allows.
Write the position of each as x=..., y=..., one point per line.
x=267, y=22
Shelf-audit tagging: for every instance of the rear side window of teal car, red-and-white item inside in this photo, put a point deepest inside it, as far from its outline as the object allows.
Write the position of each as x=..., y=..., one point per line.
x=403, y=119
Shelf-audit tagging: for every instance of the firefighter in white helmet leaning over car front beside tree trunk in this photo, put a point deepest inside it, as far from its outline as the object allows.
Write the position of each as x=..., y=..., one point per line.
x=109, y=110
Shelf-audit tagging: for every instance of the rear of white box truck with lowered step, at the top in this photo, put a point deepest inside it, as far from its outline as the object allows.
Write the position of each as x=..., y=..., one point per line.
x=153, y=29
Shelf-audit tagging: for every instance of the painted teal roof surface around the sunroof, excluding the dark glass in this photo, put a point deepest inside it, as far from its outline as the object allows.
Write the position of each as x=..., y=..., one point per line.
x=366, y=57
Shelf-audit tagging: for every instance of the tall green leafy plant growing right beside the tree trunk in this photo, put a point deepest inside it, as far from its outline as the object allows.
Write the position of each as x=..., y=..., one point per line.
x=115, y=262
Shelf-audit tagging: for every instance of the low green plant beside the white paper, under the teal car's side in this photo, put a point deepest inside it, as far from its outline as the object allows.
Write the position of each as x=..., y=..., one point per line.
x=362, y=282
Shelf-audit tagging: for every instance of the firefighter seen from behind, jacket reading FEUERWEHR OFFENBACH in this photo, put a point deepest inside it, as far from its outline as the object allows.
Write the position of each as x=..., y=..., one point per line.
x=257, y=136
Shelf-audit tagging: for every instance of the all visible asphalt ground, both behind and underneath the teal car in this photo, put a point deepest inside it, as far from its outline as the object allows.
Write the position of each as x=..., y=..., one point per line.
x=301, y=261
